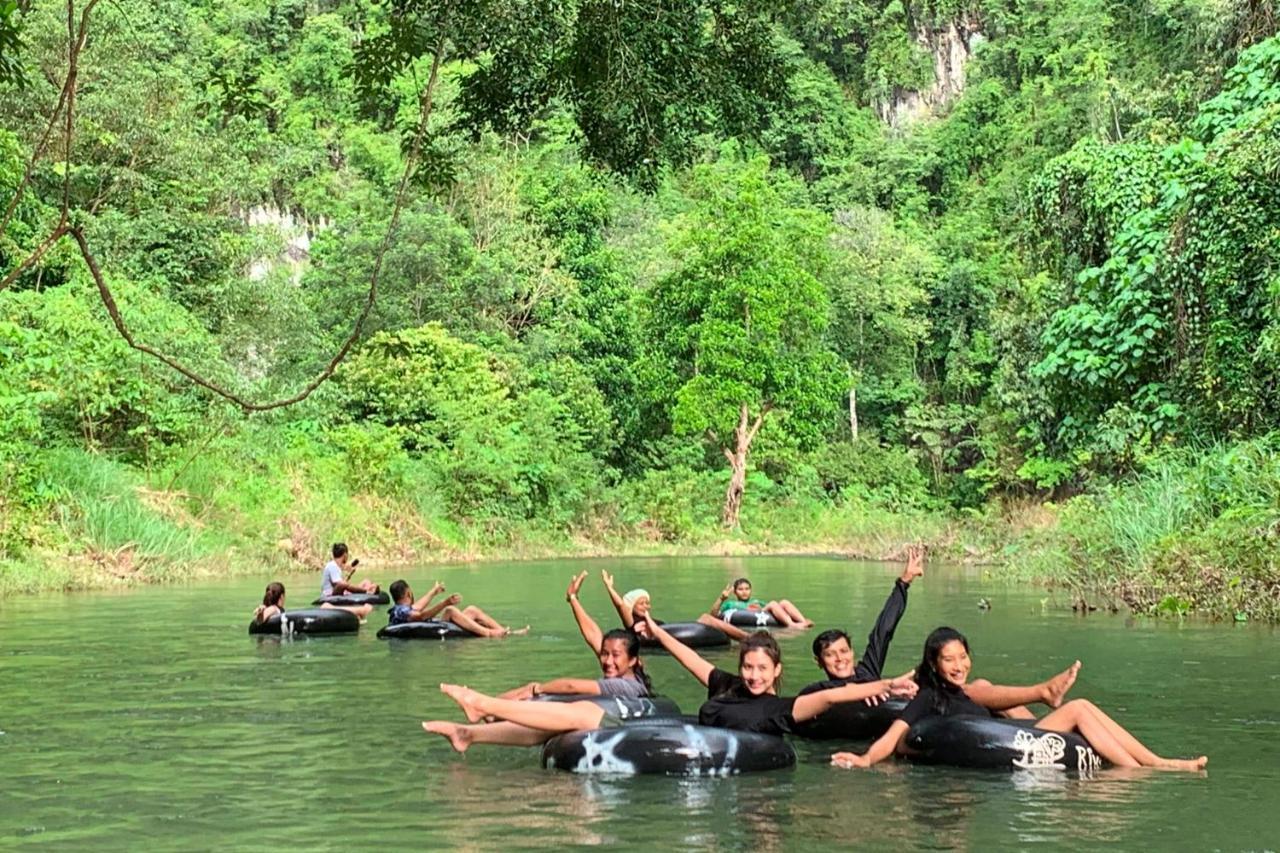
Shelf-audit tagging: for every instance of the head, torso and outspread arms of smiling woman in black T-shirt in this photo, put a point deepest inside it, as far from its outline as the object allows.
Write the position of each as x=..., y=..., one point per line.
x=749, y=701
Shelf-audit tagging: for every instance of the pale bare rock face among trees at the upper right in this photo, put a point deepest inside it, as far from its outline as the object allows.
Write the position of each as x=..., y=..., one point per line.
x=952, y=45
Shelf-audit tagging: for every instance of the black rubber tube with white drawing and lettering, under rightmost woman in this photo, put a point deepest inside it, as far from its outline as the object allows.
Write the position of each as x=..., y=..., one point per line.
x=995, y=743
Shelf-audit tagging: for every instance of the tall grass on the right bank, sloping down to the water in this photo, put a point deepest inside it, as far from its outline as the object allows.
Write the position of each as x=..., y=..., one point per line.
x=1192, y=533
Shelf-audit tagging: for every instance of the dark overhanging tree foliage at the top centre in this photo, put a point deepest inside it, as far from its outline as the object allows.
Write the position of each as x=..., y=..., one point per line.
x=643, y=80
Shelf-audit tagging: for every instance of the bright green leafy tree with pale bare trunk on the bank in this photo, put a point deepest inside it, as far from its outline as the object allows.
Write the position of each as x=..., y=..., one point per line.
x=735, y=335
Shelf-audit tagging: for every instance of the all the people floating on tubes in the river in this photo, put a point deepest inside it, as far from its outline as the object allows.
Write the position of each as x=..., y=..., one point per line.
x=751, y=700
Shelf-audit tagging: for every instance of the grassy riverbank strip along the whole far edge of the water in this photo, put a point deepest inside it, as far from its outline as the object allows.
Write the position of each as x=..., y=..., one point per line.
x=1190, y=537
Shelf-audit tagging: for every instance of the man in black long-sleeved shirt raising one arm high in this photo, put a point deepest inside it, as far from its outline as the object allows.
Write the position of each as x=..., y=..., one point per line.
x=835, y=655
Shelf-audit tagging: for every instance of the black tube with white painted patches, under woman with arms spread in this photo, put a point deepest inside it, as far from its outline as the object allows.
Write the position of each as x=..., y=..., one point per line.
x=669, y=750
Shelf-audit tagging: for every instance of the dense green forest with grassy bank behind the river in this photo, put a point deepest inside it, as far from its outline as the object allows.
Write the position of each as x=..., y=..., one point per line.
x=829, y=275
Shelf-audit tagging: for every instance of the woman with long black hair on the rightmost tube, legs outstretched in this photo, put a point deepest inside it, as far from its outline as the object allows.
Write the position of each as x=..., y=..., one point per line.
x=943, y=677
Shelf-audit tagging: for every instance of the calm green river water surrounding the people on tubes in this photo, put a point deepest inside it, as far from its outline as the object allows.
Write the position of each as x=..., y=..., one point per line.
x=150, y=719
